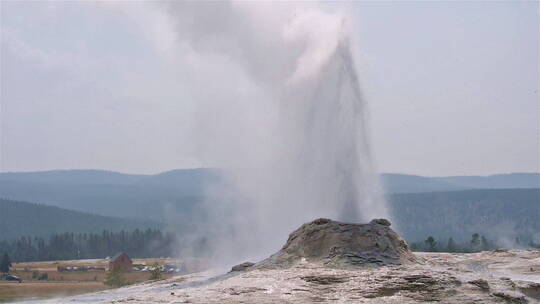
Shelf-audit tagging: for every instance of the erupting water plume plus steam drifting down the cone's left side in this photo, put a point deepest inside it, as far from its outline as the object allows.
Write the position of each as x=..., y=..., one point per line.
x=319, y=161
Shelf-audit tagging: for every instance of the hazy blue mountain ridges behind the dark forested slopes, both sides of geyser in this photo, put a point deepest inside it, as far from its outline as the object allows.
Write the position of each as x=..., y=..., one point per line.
x=179, y=193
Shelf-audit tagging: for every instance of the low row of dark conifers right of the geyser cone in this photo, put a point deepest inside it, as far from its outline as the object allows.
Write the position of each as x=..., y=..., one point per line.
x=476, y=244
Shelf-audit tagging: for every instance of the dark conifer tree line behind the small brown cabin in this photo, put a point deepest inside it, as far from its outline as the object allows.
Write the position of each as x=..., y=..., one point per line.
x=69, y=246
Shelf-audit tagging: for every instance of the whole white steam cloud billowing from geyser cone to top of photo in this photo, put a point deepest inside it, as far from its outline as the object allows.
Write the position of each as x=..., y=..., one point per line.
x=282, y=114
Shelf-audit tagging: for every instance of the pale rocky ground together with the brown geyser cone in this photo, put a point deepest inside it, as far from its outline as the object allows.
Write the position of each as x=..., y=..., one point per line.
x=331, y=262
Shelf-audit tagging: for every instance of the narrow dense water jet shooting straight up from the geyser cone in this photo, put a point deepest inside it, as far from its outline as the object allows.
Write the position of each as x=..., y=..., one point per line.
x=332, y=152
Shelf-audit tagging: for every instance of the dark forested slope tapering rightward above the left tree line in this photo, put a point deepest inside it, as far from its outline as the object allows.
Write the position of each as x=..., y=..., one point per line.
x=29, y=219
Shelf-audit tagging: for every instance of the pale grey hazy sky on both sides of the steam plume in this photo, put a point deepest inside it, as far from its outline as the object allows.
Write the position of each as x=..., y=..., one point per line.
x=452, y=87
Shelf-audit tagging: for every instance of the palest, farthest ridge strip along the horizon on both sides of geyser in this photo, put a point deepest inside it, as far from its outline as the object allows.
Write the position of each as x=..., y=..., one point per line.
x=191, y=182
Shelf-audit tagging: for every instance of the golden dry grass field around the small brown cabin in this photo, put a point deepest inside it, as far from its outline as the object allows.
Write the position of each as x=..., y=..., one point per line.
x=67, y=283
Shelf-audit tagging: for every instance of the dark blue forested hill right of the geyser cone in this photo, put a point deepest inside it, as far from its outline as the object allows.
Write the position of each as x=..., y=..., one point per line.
x=500, y=214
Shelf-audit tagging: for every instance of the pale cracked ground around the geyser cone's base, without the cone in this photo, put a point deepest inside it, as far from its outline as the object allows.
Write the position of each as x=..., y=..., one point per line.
x=485, y=277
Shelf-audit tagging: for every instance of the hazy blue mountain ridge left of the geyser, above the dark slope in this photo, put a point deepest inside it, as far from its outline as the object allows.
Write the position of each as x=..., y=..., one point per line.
x=111, y=193
